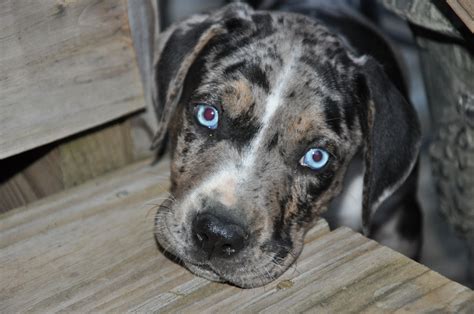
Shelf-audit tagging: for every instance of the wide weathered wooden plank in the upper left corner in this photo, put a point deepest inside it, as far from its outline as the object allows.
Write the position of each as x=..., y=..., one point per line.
x=65, y=66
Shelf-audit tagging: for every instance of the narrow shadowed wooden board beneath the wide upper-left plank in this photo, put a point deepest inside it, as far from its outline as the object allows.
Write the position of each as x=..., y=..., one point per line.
x=44, y=171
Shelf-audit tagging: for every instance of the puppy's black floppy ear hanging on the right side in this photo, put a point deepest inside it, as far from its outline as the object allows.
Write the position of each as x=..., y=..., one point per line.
x=391, y=133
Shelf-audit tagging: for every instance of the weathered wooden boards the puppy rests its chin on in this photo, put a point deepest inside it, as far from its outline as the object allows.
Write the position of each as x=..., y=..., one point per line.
x=91, y=248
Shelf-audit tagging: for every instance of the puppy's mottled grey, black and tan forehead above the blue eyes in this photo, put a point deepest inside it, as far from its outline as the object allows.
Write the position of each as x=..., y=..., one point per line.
x=312, y=63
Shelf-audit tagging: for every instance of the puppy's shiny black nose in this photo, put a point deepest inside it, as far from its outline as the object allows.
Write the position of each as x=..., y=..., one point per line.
x=218, y=237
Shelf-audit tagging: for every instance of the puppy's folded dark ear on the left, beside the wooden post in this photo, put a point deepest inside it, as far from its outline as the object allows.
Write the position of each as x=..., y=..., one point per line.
x=175, y=52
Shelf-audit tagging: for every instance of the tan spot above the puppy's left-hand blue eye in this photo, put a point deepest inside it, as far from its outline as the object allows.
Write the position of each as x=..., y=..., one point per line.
x=238, y=98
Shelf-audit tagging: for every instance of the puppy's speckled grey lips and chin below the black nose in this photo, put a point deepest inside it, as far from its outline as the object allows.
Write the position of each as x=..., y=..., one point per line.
x=257, y=265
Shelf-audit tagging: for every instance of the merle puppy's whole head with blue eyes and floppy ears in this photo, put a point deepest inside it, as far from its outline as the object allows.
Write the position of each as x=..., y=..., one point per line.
x=264, y=112
